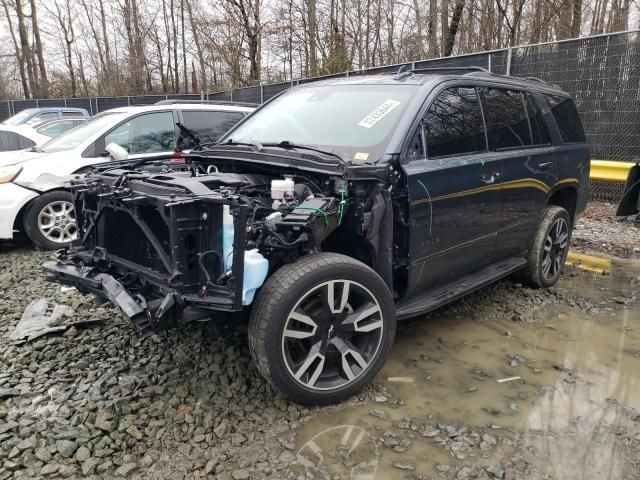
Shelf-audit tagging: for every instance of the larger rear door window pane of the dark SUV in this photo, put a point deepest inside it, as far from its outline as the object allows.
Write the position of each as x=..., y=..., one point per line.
x=507, y=120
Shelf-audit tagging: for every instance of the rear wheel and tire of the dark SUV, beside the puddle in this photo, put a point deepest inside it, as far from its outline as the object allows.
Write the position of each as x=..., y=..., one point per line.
x=548, y=250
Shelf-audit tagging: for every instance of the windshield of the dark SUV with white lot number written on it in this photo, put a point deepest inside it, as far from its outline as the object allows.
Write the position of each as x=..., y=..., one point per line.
x=354, y=121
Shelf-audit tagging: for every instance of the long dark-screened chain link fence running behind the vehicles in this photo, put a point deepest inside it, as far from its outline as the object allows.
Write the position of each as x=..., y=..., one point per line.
x=602, y=73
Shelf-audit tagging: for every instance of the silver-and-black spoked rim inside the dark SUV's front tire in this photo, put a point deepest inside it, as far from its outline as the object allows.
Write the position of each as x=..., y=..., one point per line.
x=332, y=335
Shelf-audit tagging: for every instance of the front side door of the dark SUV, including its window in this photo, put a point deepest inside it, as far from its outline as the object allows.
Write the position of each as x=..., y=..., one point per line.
x=453, y=190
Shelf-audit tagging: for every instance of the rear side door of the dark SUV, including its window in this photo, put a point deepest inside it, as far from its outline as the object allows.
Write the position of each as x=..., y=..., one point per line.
x=518, y=135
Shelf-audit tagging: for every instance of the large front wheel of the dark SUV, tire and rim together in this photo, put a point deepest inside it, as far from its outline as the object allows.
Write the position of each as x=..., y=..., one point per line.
x=321, y=328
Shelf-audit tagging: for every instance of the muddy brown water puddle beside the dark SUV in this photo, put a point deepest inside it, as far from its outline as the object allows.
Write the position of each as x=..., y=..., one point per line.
x=470, y=393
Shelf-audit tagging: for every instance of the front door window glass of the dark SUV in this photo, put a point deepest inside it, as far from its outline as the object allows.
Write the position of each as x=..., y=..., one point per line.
x=453, y=124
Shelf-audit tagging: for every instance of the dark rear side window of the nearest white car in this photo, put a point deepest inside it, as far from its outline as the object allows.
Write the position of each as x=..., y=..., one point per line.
x=208, y=126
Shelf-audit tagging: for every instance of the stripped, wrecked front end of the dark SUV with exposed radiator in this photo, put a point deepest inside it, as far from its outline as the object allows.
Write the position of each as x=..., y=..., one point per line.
x=171, y=247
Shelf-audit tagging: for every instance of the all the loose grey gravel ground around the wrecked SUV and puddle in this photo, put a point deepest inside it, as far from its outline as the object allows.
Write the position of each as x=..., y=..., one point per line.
x=99, y=402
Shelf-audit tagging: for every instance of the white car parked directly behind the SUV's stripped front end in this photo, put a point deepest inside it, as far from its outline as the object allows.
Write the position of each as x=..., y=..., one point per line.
x=32, y=182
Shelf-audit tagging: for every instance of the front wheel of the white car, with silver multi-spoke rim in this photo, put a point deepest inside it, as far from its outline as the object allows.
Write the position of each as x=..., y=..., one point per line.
x=50, y=220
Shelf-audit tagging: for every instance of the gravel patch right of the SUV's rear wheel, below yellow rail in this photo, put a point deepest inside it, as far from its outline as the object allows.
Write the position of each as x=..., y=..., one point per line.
x=600, y=231
